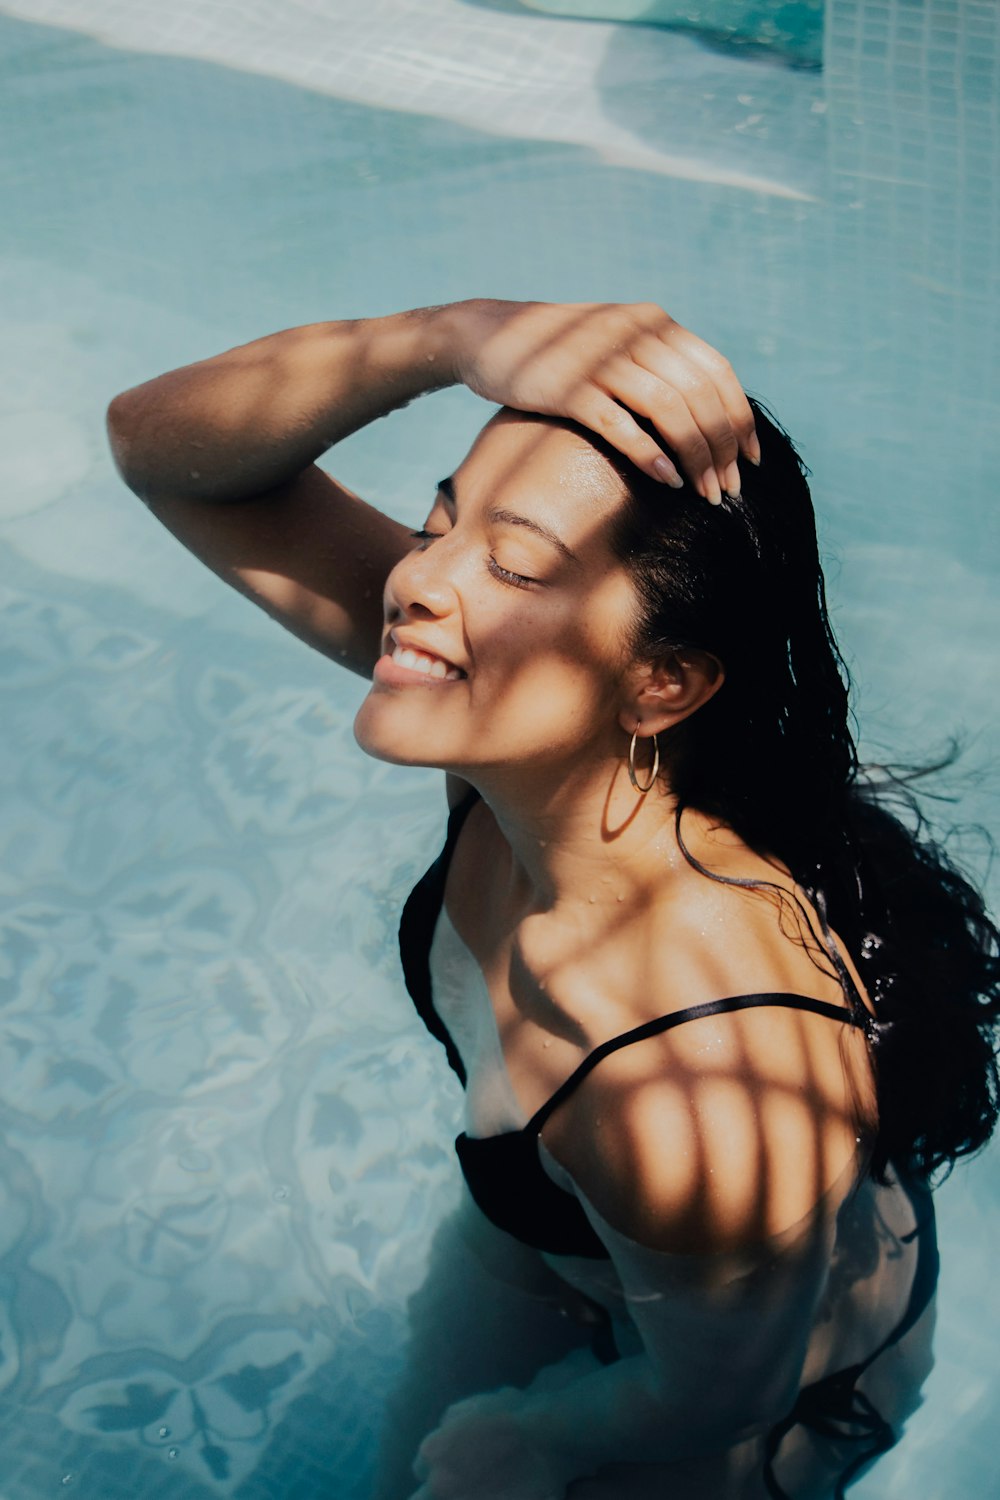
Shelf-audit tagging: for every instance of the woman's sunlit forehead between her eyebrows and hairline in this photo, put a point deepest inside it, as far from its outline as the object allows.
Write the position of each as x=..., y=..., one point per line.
x=540, y=463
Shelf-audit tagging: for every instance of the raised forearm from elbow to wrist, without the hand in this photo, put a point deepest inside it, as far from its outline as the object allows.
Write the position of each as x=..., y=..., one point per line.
x=254, y=418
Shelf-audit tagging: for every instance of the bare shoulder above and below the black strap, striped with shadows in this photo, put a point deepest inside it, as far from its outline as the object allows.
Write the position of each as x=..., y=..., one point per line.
x=728, y=1129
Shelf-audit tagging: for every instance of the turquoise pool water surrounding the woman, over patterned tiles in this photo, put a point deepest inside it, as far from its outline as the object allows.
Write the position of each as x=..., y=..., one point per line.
x=226, y=1139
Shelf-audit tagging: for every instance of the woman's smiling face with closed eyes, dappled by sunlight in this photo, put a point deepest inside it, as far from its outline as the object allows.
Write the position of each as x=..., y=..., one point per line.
x=507, y=628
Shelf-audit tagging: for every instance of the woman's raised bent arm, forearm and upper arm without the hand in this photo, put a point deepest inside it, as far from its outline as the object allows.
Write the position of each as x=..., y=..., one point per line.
x=224, y=455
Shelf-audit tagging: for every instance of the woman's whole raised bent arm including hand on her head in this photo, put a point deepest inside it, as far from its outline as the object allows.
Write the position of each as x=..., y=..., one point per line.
x=226, y=452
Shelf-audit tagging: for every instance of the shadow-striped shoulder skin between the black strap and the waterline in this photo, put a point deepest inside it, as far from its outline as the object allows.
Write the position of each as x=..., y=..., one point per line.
x=696, y=1144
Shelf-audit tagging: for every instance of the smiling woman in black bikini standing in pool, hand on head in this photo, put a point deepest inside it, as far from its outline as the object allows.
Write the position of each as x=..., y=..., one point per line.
x=693, y=1123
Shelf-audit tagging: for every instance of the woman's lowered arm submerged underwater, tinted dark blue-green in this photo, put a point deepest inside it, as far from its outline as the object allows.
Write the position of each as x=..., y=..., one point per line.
x=663, y=1403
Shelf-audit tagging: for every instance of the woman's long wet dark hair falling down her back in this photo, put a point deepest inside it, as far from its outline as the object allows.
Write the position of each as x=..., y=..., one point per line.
x=773, y=757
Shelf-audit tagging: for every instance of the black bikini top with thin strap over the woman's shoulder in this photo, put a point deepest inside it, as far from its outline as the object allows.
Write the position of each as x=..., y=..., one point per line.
x=504, y=1172
